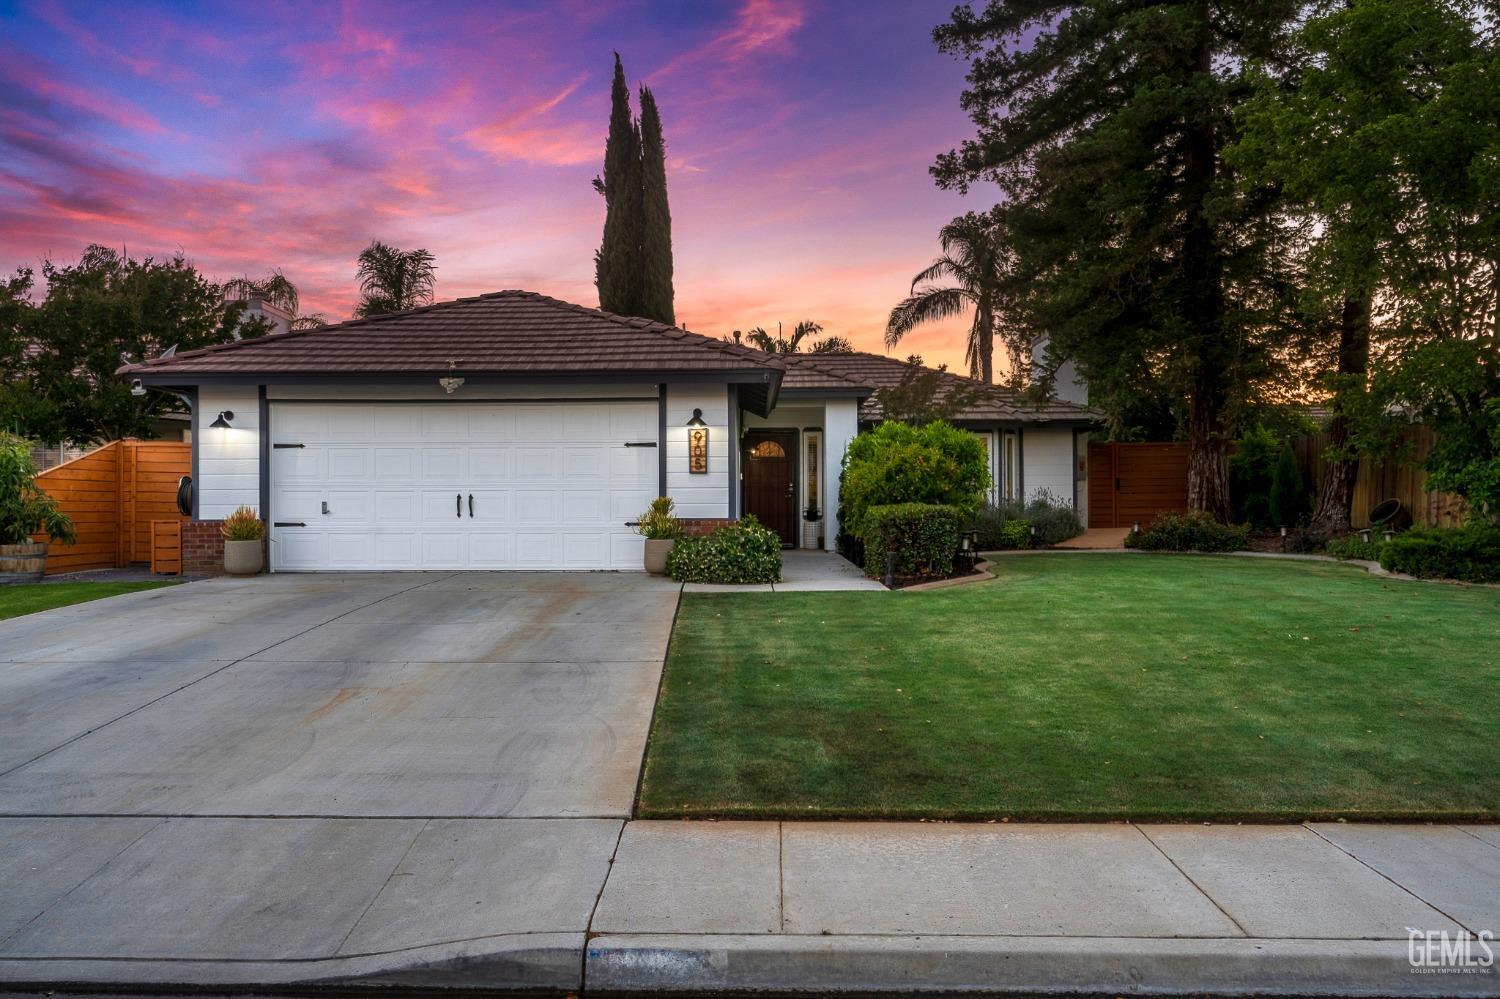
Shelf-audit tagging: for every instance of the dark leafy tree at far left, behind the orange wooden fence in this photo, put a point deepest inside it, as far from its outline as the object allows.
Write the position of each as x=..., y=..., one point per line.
x=106, y=310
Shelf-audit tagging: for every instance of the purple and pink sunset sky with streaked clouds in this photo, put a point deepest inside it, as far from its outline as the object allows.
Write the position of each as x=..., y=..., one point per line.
x=290, y=136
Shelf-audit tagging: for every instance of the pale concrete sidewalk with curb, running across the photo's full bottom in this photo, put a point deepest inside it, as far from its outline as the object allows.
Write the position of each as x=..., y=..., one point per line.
x=761, y=907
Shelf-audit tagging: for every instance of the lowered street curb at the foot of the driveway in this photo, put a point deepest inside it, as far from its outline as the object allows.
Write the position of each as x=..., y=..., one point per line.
x=517, y=962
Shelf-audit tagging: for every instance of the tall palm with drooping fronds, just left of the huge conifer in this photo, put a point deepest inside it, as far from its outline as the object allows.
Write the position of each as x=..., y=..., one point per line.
x=974, y=259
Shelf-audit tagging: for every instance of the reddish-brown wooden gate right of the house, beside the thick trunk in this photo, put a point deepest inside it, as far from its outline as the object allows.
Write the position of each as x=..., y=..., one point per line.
x=1132, y=484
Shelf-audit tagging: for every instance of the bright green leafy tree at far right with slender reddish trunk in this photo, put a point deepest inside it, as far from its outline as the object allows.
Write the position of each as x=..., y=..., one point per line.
x=1375, y=124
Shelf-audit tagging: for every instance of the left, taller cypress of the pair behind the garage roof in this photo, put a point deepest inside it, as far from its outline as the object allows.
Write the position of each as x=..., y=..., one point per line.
x=617, y=271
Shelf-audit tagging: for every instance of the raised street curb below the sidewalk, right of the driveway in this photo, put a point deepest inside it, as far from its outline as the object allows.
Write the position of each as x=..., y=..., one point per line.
x=779, y=964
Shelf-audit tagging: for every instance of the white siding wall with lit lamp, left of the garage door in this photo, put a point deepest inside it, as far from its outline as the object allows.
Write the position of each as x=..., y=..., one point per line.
x=229, y=461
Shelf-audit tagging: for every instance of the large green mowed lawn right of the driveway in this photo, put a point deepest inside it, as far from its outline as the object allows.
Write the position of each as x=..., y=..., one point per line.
x=1088, y=688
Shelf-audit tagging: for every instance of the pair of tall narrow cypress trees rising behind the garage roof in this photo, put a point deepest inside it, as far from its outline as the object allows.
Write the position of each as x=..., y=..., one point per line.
x=634, y=265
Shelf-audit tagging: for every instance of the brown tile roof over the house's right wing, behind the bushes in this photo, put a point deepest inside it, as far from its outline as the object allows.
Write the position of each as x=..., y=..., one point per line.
x=806, y=373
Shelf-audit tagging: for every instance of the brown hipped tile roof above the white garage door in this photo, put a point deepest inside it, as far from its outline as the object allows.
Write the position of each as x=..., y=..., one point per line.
x=503, y=332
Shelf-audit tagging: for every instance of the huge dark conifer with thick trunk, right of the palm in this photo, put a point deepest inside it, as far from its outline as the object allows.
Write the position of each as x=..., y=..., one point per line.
x=1105, y=125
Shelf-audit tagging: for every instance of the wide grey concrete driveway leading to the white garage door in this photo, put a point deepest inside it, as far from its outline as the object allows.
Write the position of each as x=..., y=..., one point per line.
x=320, y=769
